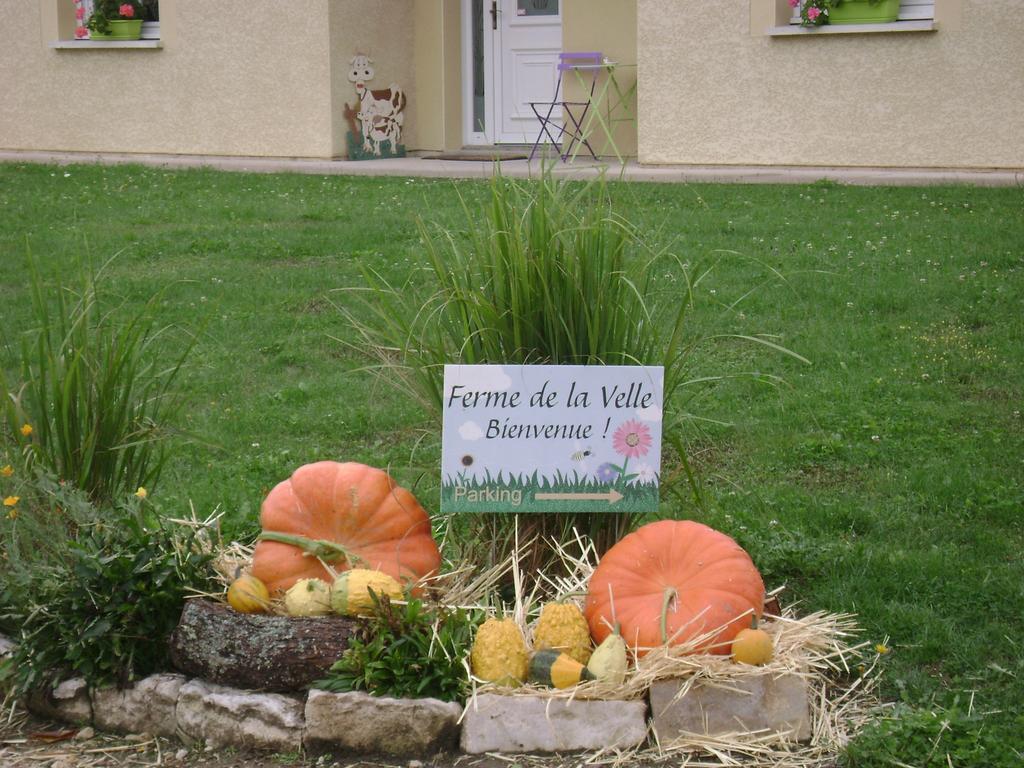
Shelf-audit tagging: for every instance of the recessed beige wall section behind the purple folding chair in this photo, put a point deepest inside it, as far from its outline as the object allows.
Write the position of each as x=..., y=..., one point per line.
x=609, y=27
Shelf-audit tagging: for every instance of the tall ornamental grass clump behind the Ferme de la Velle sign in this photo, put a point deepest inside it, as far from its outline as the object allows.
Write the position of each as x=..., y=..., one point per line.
x=547, y=273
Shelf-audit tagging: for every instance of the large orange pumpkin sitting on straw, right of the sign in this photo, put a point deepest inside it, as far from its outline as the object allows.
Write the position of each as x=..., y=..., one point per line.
x=672, y=582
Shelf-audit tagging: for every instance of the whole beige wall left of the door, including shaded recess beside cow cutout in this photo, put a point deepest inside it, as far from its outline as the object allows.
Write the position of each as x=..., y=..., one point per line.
x=259, y=78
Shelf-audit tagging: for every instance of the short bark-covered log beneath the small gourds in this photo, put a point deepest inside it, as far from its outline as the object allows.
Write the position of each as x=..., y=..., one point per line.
x=257, y=651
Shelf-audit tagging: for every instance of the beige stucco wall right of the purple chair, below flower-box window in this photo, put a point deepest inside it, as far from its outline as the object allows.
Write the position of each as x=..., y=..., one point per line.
x=715, y=90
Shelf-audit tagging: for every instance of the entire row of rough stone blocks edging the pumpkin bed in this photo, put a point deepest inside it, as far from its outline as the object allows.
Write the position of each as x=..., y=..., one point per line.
x=172, y=705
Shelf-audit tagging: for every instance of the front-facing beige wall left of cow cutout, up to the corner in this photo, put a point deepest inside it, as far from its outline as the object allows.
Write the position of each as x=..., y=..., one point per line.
x=251, y=79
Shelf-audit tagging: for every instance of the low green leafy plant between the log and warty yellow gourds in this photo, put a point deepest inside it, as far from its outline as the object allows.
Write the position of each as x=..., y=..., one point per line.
x=408, y=652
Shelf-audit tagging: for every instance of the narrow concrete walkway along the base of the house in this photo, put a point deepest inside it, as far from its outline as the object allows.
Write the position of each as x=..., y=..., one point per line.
x=632, y=172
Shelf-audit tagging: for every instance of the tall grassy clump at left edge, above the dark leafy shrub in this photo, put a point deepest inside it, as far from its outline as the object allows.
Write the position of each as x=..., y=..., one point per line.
x=95, y=401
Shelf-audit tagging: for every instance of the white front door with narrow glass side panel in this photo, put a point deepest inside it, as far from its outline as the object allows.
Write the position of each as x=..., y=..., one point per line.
x=511, y=57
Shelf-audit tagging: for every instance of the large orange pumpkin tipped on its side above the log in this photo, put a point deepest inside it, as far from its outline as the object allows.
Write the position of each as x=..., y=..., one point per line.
x=350, y=516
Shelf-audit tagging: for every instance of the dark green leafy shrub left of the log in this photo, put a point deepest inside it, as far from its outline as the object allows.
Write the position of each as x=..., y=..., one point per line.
x=104, y=604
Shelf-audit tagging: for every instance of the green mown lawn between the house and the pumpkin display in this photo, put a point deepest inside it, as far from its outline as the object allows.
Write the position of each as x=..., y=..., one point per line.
x=886, y=479
